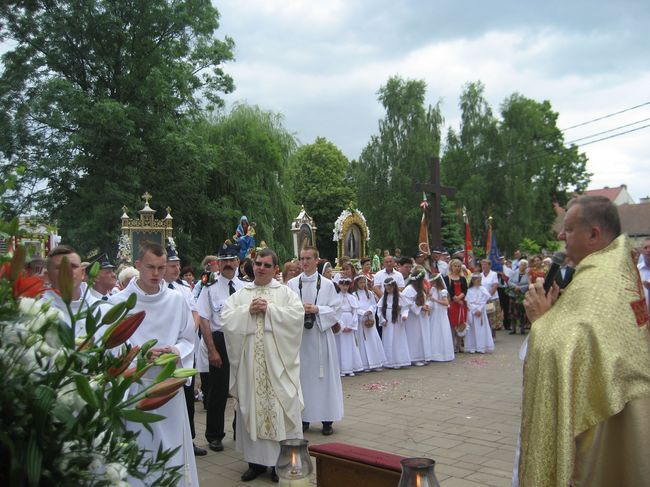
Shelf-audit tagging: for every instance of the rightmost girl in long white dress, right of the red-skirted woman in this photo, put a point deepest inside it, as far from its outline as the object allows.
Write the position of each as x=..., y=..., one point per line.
x=479, y=334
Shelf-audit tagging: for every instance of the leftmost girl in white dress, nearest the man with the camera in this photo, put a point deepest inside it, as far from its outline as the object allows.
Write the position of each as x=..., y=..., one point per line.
x=349, y=357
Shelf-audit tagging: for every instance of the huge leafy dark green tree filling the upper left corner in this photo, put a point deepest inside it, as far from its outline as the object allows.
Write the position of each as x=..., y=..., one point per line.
x=98, y=99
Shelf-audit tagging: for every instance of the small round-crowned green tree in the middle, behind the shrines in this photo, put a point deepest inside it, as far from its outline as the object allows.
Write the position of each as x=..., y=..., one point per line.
x=318, y=175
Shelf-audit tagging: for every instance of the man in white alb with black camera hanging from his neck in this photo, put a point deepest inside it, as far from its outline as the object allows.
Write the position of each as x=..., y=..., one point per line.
x=319, y=361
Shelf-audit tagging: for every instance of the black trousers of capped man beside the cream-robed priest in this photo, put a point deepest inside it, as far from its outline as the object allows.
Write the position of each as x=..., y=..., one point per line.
x=217, y=392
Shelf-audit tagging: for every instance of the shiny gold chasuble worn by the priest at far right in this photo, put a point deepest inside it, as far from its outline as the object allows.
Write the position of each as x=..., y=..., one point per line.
x=586, y=398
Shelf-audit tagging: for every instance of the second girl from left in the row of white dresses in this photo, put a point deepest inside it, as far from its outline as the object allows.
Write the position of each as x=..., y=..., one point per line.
x=370, y=347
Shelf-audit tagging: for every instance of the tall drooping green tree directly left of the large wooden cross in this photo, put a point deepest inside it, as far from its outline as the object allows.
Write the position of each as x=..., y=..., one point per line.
x=394, y=160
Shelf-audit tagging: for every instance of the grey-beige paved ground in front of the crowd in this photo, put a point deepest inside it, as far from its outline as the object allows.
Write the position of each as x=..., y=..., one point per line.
x=464, y=414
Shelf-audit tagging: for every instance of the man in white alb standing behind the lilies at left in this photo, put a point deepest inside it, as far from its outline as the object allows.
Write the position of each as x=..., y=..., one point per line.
x=168, y=320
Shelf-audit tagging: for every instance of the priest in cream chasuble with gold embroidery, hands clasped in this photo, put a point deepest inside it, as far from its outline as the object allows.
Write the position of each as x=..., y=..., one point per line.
x=262, y=324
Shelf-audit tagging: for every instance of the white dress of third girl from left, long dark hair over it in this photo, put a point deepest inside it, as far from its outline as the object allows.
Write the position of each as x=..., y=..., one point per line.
x=393, y=336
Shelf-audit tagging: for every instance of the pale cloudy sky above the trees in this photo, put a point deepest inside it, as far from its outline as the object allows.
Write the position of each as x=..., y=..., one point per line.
x=320, y=64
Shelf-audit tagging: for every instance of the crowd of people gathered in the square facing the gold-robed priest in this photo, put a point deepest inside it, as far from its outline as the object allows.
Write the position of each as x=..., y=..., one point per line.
x=278, y=342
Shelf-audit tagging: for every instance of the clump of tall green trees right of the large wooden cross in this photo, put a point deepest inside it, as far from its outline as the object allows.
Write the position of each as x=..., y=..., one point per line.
x=512, y=169
